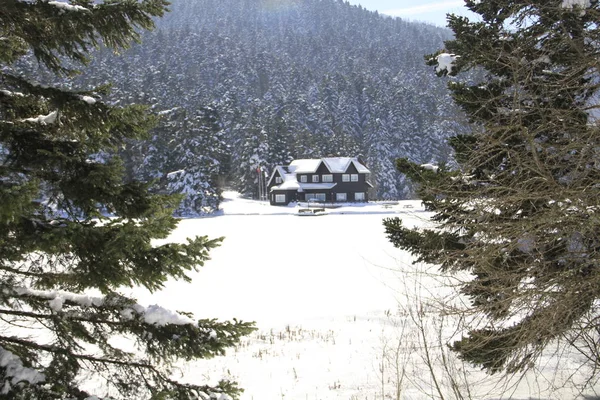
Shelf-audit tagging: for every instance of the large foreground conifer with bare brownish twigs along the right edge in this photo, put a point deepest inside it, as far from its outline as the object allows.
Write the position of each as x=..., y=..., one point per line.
x=521, y=212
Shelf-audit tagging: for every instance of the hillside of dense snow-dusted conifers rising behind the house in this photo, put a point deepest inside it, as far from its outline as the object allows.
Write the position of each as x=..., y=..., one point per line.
x=283, y=79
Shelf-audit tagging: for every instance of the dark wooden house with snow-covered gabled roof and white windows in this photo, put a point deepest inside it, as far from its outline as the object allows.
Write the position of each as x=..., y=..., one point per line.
x=333, y=179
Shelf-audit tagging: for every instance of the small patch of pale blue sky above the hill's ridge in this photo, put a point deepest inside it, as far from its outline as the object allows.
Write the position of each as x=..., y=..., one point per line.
x=431, y=11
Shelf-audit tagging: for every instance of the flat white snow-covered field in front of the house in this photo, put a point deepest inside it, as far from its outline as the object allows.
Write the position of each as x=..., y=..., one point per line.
x=340, y=312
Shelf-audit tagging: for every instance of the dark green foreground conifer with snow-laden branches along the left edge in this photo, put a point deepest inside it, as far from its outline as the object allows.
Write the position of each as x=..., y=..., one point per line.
x=62, y=261
